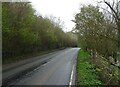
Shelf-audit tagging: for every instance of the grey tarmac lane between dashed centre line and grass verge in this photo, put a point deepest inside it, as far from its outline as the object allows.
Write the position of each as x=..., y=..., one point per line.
x=58, y=70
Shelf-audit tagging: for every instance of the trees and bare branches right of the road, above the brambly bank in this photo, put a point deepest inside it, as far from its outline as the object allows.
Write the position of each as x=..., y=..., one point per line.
x=98, y=29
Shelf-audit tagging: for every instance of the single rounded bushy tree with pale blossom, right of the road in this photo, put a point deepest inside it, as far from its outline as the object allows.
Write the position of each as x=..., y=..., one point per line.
x=95, y=32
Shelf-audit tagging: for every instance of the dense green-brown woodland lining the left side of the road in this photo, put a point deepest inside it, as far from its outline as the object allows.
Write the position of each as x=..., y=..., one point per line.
x=25, y=32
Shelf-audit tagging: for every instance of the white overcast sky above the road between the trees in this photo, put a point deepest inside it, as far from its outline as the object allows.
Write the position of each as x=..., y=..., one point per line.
x=65, y=9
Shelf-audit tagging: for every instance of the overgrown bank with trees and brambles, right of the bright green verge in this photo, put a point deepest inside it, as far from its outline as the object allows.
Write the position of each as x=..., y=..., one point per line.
x=98, y=34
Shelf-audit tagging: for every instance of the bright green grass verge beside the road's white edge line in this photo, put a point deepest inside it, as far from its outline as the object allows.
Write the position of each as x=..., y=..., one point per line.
x=86, y=75
